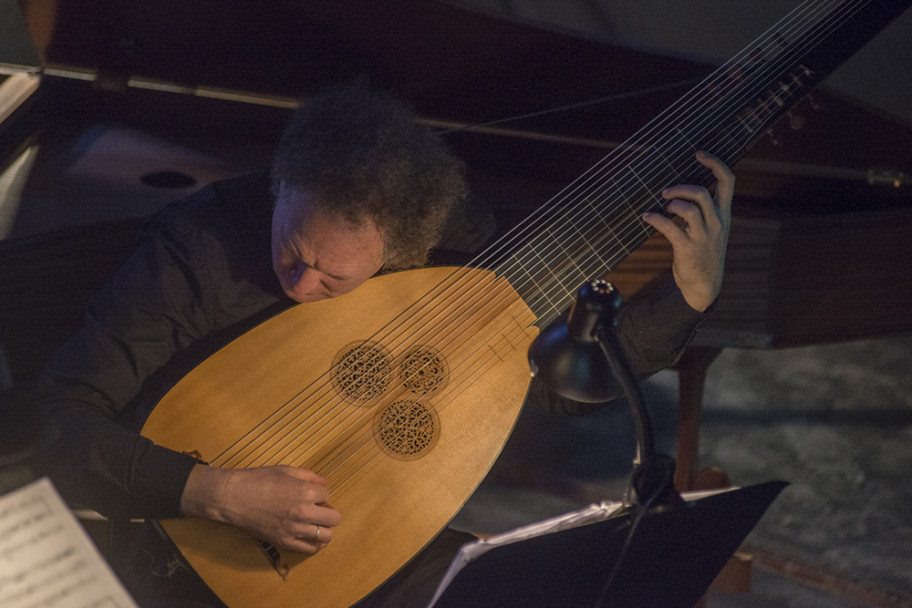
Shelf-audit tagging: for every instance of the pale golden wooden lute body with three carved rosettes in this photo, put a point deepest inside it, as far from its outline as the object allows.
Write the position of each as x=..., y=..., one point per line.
x=402, y=407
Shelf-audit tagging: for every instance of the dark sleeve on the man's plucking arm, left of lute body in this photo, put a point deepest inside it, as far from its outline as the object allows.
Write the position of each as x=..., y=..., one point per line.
x=135, y=325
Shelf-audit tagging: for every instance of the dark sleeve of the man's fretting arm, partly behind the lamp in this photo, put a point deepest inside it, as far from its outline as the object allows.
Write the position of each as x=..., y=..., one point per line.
x=654, y=328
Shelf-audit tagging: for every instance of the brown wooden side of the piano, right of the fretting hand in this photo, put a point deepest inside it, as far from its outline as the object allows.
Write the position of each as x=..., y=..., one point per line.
x=814, y=279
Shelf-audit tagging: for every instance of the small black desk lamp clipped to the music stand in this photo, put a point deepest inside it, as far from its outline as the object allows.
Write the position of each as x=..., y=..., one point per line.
x=581, y=358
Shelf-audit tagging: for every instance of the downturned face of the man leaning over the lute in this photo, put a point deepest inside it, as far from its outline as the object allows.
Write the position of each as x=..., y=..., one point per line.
x=316, y=255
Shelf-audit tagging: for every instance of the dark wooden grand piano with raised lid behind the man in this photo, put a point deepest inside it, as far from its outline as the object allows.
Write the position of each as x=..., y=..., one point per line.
x=138, y=103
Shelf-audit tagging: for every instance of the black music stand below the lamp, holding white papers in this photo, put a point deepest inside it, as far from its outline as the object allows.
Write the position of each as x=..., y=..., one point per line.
x=672, y=557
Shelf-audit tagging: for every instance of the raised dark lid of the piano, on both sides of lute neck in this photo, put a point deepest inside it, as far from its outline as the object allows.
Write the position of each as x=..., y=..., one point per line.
x=455, y=64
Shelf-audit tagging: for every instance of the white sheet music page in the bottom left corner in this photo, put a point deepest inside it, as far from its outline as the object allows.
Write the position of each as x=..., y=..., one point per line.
x=46, y=558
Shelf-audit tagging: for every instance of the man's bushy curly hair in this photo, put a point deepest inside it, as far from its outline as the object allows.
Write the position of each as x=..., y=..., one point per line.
x=364, y=156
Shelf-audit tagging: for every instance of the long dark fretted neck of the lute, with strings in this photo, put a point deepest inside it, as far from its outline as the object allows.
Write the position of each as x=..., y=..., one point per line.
x=595, y=222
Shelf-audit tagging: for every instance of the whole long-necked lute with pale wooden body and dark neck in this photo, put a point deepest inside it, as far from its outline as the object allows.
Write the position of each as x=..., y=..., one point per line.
x=402, y=392
